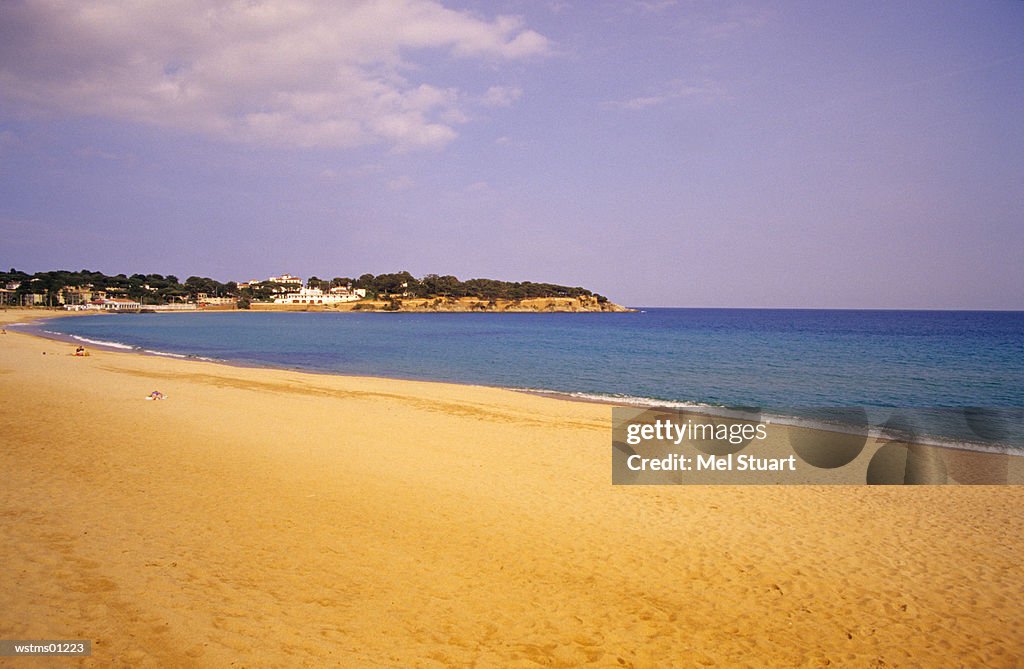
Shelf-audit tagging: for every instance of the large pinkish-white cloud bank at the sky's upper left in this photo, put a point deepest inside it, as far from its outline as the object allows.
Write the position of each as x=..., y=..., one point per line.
x=294, y=73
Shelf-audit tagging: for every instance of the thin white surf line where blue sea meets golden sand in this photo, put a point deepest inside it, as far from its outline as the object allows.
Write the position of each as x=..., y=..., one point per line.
x=794, y=421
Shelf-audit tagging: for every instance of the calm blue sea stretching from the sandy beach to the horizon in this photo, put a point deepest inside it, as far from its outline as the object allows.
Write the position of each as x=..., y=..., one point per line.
x=952, y=378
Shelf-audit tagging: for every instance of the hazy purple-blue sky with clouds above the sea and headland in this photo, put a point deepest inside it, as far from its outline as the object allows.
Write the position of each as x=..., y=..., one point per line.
x=837, y=155
